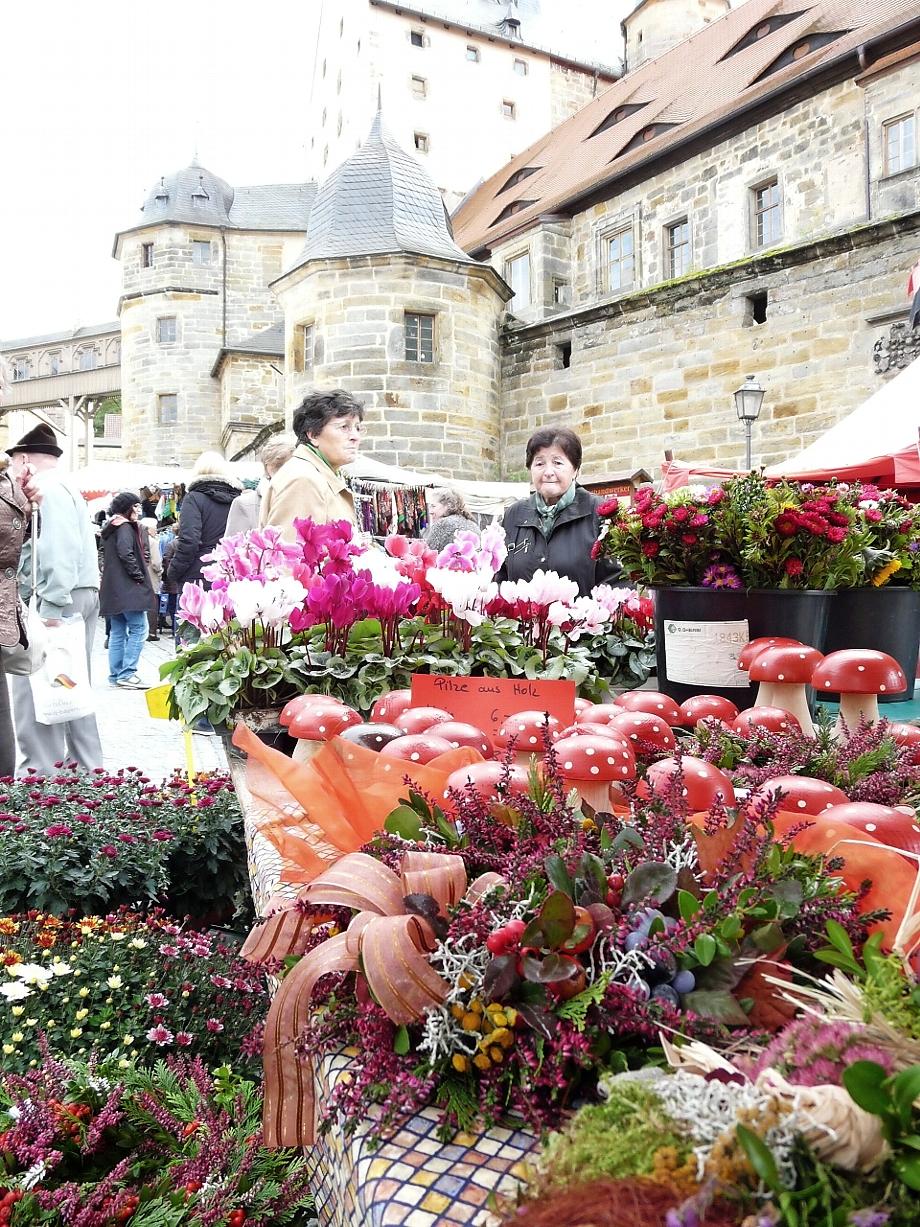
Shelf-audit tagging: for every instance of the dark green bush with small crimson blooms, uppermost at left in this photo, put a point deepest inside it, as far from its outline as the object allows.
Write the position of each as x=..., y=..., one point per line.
x=98, y=841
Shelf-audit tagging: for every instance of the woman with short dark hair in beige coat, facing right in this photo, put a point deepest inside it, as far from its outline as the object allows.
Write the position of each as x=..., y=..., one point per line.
x=310, y=487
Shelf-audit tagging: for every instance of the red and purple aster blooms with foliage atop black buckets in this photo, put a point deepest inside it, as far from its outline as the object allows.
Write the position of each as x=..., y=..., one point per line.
x=753, y=533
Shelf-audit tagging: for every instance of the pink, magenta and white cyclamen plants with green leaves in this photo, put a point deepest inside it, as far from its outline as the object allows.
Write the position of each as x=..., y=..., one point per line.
x=329, y=613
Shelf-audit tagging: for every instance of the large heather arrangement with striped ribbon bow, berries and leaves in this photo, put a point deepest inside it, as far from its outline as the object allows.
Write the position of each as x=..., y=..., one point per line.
x=528, y=944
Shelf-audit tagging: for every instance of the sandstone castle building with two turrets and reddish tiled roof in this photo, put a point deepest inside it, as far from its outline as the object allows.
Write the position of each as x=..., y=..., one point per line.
x=749, y=202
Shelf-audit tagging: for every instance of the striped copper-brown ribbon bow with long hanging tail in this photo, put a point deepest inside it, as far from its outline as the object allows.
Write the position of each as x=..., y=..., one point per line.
x=389, y=945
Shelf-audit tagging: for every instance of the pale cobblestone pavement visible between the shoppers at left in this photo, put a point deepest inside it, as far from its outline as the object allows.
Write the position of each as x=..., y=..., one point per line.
x=129, y=737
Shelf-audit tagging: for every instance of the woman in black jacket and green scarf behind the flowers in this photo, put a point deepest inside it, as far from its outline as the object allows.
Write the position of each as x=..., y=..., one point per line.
x=558, y=526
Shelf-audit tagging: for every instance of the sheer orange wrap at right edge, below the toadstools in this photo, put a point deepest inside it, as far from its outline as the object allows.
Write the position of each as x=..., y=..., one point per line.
x=864, y=858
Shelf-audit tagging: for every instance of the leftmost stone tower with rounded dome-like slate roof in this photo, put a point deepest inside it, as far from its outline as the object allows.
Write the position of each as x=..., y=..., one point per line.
x=174, y=317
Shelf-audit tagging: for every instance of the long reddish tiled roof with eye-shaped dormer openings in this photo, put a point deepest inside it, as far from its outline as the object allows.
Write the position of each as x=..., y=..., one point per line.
x=695, y=87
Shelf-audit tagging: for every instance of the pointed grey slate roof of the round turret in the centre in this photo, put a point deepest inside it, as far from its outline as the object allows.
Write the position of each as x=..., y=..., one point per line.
x=380, y=201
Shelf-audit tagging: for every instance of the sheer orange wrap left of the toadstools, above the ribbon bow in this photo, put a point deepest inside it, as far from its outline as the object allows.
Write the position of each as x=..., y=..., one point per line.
x=345, y=791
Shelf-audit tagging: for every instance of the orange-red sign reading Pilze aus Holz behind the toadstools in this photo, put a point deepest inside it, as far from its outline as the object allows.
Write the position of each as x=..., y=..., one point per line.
x=486, y=702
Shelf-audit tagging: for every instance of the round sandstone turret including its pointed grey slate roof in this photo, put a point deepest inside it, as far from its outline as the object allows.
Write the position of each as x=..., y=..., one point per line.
x=383, y=304
